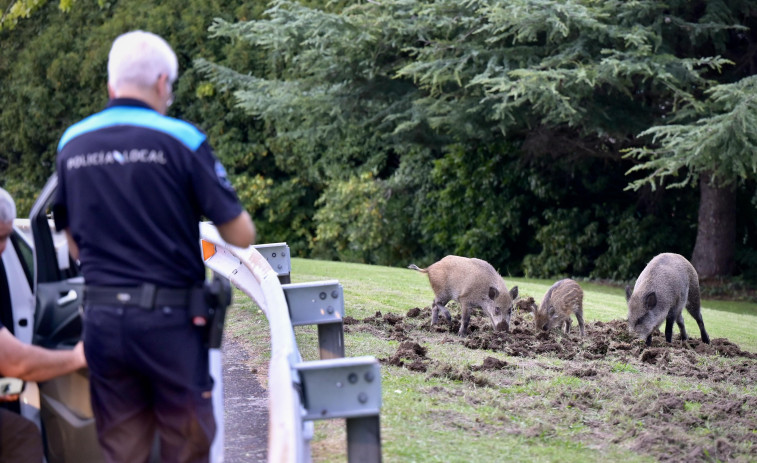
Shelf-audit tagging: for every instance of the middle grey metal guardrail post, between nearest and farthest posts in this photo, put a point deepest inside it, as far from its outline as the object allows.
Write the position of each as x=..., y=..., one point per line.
x=319, y=303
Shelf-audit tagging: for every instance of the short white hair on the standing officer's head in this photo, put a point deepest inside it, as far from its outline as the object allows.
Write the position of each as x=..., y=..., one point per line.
x=139, y=58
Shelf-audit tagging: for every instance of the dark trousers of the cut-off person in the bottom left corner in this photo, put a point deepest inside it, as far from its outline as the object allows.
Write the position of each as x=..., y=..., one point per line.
x=20, y=440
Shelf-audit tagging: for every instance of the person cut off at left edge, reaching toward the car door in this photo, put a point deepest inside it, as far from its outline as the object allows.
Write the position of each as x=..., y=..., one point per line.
x=20, y=439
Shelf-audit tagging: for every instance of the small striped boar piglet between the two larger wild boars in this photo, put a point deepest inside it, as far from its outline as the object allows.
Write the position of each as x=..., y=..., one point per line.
x=564, y=299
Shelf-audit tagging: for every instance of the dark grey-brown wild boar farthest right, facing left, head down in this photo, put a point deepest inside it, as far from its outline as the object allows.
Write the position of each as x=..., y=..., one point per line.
x=667, y=284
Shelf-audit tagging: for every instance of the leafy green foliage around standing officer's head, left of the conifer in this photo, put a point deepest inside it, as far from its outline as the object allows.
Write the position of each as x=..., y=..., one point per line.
x=53, y=73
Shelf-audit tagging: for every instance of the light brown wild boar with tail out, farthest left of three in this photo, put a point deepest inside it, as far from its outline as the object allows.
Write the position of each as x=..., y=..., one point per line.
x=472, y=283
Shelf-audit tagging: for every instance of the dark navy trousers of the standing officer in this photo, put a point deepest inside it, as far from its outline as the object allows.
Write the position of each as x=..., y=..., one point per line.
x=148, y=372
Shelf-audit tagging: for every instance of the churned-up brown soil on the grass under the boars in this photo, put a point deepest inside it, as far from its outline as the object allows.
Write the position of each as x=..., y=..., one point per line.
x=603, y=341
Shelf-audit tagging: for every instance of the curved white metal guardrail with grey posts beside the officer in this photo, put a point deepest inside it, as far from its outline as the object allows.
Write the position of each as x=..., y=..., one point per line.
x=302, y=391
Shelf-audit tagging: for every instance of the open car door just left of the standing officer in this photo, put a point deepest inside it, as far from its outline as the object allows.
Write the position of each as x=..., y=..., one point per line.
x=66, y=414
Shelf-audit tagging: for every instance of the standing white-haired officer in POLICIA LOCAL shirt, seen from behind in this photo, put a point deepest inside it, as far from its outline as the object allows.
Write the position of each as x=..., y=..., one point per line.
x=133, y=186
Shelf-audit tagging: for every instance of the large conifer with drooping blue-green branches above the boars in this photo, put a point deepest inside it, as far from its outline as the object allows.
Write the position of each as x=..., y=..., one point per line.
x=360, y=85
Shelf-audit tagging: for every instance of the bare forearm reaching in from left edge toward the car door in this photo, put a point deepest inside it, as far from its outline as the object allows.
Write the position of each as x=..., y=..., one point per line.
x=33, y=363
